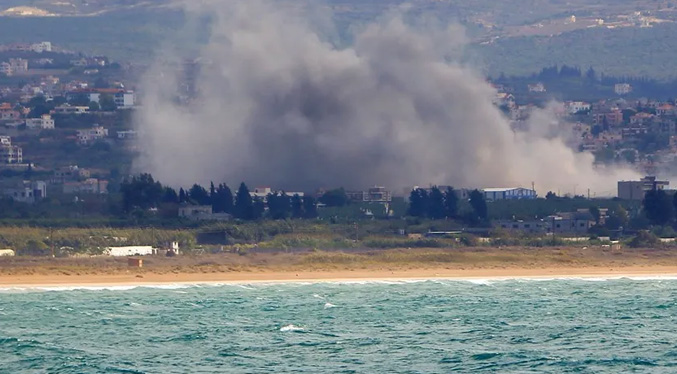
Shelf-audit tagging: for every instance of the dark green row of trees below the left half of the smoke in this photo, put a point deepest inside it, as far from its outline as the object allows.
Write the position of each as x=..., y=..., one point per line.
x=143, y=192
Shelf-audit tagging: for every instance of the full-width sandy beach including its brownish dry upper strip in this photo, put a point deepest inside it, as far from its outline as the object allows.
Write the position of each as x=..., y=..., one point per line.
x=480, y=263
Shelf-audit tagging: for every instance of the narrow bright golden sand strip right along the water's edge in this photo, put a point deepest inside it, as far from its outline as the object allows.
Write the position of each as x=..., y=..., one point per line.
x=131, y=279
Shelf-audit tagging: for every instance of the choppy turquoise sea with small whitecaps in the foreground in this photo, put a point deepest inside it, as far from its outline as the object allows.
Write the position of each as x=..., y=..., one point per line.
x=515, y=326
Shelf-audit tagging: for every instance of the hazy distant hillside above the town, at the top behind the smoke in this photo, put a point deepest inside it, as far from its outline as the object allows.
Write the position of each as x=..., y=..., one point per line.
x=511, y=36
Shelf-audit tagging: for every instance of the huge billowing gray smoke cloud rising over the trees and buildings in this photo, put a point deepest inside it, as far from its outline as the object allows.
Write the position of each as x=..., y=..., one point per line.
x=280, y=105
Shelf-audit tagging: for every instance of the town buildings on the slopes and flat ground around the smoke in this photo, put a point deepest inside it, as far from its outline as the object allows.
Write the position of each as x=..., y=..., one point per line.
x=66, y=133
